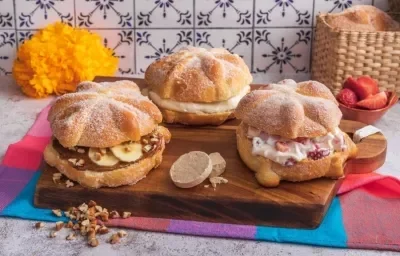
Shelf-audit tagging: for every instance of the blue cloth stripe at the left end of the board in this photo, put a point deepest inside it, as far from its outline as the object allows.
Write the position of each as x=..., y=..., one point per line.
x=22, y=206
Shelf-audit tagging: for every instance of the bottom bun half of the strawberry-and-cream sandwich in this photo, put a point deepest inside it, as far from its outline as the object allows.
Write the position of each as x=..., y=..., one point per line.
x=270, y=173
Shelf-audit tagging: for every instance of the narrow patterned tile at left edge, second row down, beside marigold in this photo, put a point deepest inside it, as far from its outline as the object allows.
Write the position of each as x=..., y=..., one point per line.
x=8, y=46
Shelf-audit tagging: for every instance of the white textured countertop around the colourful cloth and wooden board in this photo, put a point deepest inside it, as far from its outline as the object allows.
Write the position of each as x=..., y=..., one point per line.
x=18, y=237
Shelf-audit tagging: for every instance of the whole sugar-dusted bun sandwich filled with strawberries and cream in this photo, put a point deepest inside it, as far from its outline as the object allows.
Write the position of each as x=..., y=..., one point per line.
x=290, y=131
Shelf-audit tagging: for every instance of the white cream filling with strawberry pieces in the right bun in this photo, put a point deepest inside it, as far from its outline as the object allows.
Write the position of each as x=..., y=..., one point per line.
x=288, y=152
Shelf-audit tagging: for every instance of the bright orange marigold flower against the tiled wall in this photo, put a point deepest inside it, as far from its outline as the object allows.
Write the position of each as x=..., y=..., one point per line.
x=57, y=58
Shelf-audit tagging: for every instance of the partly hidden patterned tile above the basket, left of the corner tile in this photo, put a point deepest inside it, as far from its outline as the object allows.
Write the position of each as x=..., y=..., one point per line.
x=333, y=6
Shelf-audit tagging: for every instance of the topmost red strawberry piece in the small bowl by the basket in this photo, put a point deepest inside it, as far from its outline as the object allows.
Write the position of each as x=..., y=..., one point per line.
x=364, y=86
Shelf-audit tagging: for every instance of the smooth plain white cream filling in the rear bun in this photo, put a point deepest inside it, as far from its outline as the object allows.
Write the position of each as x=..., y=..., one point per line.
x=192, y=107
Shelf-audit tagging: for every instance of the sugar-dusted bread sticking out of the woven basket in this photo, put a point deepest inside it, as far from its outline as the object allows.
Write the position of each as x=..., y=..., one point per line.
x=362, y=18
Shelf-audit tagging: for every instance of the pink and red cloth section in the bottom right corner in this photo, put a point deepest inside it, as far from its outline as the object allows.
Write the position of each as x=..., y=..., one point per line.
x=370, y=214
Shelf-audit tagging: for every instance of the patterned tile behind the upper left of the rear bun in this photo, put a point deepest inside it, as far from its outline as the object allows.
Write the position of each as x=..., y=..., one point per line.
x=152, y=45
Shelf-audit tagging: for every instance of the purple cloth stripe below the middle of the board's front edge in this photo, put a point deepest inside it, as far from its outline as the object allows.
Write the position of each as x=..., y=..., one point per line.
x=212, y=229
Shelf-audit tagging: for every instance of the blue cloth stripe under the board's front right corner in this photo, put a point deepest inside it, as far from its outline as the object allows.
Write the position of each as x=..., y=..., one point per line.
x=331, y=232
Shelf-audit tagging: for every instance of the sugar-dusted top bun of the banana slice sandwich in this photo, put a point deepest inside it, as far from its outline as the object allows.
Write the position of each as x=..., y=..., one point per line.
x=103, y=115
